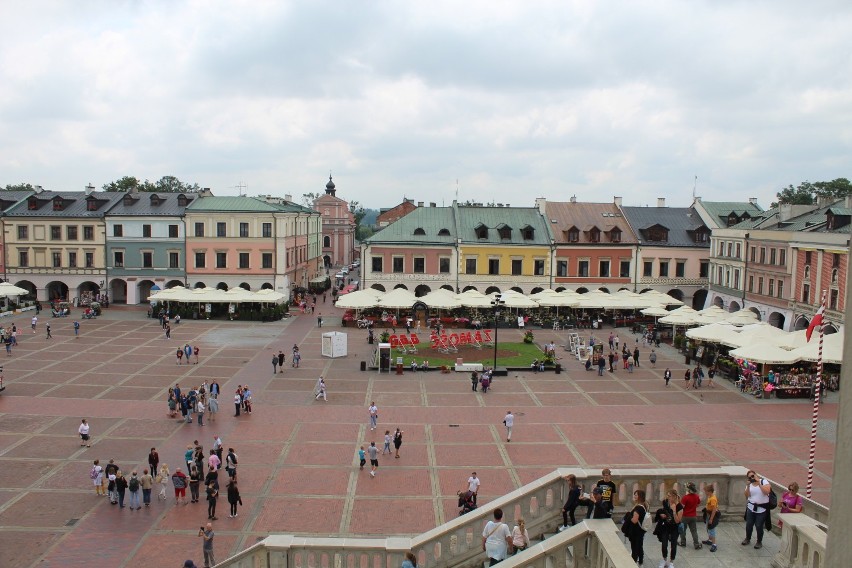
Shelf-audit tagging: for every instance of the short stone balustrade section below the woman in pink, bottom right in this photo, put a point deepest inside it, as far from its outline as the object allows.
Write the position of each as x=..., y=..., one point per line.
x=803, y=541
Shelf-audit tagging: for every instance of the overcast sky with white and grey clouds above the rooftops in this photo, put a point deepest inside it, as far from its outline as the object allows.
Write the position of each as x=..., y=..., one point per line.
x=502, y=101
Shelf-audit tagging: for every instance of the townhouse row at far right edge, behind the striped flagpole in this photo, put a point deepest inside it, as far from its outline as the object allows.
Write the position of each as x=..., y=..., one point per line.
x=779, y=263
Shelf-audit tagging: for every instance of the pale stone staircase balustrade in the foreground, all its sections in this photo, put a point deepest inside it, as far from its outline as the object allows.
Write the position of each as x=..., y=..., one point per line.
x=591, y=544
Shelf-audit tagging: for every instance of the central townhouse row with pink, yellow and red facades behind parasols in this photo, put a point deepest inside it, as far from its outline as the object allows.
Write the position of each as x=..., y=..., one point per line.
x=554, y=245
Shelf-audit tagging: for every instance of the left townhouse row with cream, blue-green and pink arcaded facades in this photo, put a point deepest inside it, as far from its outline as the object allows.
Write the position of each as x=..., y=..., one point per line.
x=68, y=245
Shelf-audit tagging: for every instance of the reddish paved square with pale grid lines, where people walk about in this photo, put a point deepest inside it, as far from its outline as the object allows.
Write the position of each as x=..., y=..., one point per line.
x=298, y=465
